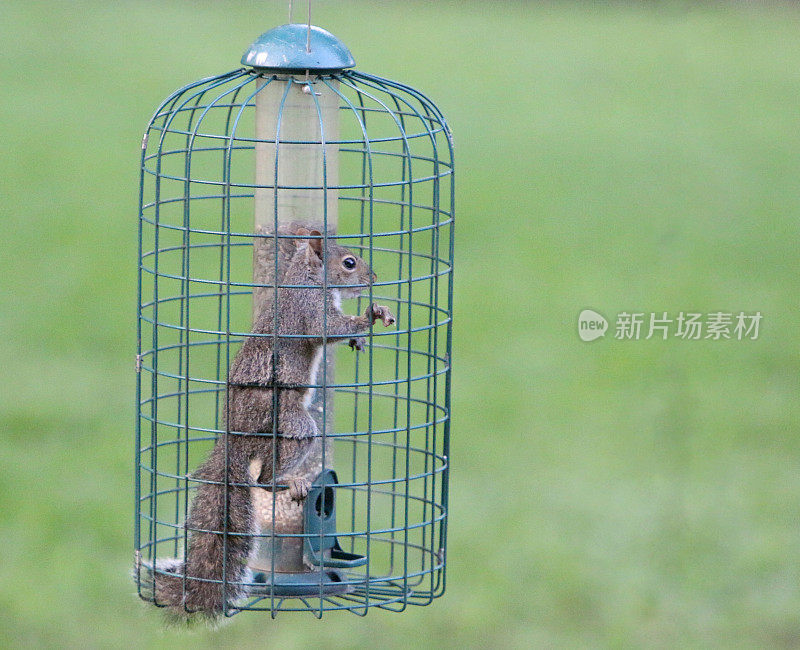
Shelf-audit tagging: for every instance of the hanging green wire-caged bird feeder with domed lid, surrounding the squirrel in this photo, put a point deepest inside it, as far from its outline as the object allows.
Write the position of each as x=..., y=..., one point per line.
x=231, y=165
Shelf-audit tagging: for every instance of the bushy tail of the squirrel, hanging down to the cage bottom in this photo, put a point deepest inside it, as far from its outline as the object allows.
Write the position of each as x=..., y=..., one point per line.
x=193, y=587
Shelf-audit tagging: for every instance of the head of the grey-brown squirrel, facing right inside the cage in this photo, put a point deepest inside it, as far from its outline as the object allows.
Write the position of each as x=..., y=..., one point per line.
x=344, y=267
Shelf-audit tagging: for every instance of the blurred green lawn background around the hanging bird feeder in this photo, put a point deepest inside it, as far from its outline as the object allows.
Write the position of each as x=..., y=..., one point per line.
x=617, y=494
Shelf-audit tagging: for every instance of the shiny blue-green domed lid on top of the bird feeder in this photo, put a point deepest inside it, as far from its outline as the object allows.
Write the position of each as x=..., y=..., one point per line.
x=284, y=48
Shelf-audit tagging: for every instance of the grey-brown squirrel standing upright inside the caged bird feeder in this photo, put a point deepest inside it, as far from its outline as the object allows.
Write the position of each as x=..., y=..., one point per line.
x=247, y=451
